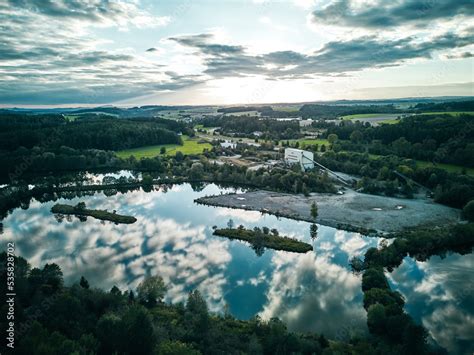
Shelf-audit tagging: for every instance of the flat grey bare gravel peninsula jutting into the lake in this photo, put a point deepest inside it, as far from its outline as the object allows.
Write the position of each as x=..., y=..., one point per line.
x=351, y=211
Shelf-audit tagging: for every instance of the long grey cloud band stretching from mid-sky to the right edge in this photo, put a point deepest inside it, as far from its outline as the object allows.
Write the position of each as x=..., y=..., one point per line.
x=334, y=58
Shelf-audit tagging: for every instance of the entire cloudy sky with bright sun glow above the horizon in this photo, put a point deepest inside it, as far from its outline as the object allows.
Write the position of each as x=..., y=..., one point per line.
x=206, y=52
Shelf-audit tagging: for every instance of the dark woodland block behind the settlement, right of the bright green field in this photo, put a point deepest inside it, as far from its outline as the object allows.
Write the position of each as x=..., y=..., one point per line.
x=245, y=126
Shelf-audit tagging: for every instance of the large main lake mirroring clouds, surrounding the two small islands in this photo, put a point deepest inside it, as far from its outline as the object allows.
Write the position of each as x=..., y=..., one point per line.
x=173, y=238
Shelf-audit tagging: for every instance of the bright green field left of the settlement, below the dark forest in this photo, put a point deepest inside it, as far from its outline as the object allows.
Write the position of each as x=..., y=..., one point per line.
x=190, y=146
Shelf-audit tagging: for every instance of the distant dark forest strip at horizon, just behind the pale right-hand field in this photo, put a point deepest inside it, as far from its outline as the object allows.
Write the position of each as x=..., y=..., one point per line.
x=335, y=111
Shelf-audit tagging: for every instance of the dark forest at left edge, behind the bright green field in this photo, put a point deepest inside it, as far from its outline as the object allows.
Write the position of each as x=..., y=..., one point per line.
x=97, y=132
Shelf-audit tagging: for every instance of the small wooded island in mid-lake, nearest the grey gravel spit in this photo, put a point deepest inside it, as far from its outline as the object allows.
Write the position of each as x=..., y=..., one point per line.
x=264, y=238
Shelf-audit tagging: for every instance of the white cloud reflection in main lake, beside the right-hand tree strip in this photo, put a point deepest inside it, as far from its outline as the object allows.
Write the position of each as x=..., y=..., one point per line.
x=311, y=293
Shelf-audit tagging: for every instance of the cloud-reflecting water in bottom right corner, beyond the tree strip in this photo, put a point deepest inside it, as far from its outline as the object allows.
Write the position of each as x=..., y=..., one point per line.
x=439, y=294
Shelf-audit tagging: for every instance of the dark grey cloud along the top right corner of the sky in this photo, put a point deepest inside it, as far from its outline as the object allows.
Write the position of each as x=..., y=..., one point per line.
x=386, y=14
